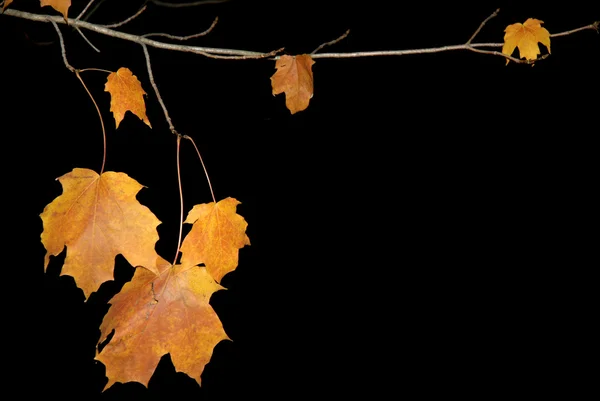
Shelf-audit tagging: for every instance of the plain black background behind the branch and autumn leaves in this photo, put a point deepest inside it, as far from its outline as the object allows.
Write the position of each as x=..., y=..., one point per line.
x=421, y=228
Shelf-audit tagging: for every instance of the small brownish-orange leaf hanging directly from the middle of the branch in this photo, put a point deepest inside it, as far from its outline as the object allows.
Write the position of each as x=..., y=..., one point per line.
x=294, y=77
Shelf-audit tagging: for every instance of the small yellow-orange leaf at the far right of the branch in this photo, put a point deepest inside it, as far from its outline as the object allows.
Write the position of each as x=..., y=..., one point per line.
x=526, y=37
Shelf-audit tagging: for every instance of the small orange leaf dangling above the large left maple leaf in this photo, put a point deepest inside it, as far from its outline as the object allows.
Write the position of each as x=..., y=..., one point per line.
x=126, y=95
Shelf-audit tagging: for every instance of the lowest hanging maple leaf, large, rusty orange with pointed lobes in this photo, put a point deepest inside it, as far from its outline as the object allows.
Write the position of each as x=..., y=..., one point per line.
x=155, y=315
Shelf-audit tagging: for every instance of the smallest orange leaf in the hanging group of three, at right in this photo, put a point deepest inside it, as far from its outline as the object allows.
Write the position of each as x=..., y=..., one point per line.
x=215, y=238
